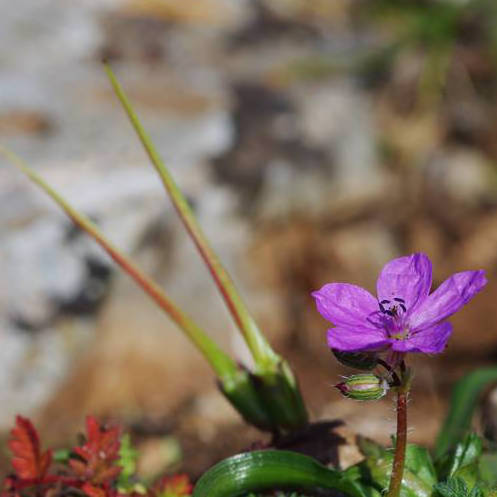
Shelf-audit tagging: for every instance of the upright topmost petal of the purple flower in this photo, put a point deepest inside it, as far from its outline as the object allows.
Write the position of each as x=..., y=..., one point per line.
x=408, y=278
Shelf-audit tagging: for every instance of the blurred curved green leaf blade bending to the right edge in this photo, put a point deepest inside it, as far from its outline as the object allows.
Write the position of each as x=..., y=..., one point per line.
x=462, y=405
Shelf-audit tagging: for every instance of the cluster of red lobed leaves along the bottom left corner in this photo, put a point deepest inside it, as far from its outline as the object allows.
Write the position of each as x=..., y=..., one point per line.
x=92, y=467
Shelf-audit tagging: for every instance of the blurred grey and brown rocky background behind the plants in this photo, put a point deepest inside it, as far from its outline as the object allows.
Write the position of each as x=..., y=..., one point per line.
x=315, y=139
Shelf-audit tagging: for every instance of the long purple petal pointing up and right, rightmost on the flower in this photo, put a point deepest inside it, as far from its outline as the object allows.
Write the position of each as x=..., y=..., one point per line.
x=447, y=299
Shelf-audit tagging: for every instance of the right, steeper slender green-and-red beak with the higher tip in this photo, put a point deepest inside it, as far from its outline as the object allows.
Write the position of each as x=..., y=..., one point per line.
x=261, y=350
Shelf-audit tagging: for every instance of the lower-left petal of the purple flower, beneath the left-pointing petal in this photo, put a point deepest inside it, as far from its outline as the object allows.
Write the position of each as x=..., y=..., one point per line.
x=356, y=339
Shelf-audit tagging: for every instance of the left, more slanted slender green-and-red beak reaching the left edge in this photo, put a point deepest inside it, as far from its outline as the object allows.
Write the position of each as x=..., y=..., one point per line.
x=222, y=364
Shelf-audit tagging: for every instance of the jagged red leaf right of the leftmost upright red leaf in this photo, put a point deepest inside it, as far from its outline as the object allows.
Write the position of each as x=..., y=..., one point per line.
x=95, y=460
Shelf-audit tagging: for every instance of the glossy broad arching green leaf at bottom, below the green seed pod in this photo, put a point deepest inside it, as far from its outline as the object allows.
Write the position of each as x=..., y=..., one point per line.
x=273, y=469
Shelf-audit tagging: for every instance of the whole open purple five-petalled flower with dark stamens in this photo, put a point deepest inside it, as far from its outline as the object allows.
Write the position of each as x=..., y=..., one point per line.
x=404, y=317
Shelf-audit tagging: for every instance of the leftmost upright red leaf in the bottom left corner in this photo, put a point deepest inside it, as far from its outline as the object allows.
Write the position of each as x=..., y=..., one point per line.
x=28, y=461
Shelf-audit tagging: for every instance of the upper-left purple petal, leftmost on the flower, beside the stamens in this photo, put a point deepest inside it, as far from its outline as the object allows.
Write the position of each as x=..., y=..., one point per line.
x=345, y=305
